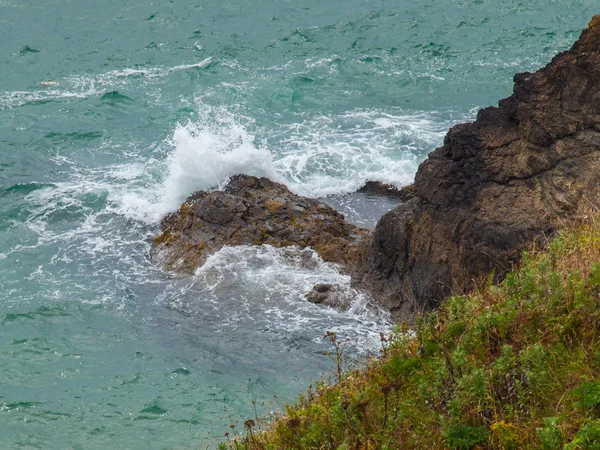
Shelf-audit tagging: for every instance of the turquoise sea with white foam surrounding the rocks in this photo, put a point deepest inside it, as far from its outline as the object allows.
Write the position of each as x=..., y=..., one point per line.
x=112, y=112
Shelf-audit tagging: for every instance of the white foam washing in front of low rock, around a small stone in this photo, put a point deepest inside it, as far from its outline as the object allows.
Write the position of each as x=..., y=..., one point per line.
x=263, y=287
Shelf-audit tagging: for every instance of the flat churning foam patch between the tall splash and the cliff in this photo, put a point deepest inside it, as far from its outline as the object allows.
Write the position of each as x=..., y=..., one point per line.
x=336, y=155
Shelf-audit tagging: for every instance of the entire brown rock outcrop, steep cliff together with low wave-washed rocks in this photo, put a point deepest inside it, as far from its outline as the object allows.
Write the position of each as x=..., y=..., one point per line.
x=515, y=175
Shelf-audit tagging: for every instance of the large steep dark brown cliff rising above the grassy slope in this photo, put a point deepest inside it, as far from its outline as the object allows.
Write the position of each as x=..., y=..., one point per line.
x=516, y=174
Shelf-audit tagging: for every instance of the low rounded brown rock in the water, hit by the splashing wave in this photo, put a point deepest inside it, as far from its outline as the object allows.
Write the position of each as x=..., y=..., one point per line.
x=253, y=211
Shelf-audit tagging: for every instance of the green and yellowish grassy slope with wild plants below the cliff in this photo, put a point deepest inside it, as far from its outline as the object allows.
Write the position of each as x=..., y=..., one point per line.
x=513, y=366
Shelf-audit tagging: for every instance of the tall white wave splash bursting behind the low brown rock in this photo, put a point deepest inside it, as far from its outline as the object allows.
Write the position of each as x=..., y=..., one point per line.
x=201, y=156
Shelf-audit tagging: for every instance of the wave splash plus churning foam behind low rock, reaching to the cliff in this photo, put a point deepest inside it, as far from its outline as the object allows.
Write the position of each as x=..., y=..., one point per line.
x=316, y=157
